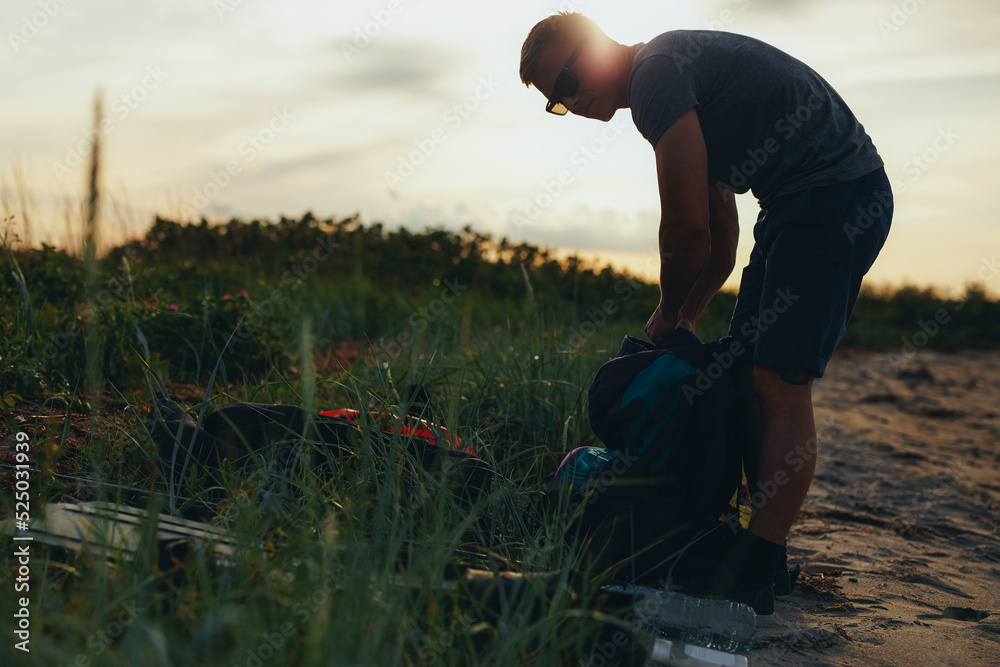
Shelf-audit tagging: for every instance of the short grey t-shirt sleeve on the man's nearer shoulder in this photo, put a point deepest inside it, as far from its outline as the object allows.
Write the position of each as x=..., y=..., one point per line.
x=661, y=90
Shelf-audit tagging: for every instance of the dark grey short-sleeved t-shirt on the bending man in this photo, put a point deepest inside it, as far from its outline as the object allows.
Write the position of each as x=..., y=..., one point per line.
x=771, y=124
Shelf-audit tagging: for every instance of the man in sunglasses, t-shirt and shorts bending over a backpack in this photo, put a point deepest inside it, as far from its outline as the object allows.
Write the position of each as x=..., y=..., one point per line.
x=728, y=114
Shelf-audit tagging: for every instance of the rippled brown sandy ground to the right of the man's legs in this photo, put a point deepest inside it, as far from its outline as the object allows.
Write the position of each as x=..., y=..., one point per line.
x=899, y=537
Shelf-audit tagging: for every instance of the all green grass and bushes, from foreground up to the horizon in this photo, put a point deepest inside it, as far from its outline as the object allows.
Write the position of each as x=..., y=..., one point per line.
x=329, y=314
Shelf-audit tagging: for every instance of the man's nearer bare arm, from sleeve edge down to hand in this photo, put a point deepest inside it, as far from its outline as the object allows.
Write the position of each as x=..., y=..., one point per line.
x=685, y=239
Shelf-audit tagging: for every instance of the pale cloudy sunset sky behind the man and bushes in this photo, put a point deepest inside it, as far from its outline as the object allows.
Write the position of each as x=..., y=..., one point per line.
x=411, y=112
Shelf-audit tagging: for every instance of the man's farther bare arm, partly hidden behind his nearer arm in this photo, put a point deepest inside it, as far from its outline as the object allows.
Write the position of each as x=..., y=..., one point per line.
x=725, y=232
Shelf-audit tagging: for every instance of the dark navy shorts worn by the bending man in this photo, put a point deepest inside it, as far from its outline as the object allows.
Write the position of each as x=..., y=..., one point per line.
x=811, y=250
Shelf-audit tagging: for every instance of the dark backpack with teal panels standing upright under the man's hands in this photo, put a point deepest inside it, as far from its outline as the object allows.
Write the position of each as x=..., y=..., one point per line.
x=658, y=499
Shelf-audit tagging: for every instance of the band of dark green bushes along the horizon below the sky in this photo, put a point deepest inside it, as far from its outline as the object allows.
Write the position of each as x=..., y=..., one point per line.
x=173, y=299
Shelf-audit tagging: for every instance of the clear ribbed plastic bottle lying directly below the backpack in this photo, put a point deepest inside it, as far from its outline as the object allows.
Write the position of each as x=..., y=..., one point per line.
x=717, y=624
